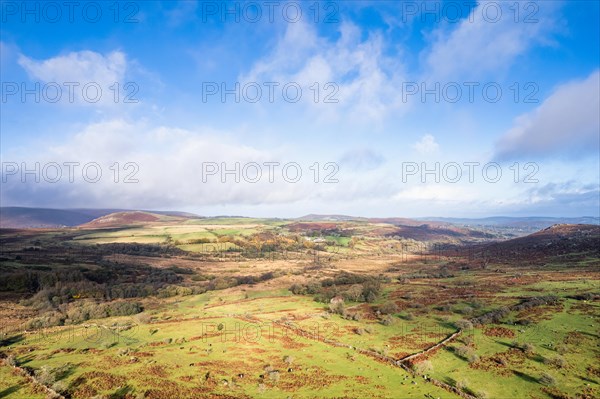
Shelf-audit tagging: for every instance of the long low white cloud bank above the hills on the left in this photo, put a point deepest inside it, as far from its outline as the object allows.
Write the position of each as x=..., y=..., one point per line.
x=170, y=174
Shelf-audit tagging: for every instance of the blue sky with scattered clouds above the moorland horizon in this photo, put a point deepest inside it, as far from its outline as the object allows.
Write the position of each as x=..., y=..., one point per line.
x=283, y=108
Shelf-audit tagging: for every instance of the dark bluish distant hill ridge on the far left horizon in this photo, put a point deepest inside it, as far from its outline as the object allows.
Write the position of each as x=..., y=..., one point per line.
x=23, y=218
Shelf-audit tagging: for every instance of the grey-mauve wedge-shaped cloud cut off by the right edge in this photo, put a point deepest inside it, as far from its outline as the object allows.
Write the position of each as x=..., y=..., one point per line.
x=566, y=123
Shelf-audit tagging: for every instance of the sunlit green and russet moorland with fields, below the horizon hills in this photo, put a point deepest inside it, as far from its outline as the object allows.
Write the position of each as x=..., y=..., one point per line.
x=163, y=310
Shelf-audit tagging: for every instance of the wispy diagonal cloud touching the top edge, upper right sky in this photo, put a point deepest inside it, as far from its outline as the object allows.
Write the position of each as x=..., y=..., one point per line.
x=479, y=47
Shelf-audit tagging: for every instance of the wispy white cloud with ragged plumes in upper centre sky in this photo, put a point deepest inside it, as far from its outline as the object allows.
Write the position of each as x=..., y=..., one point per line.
x=368, y=81
